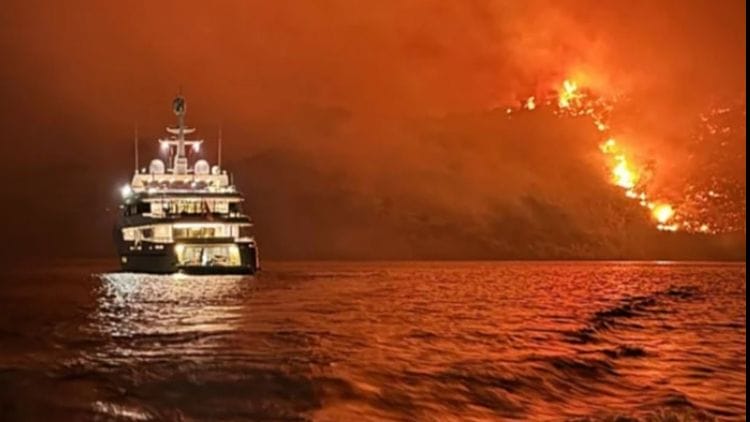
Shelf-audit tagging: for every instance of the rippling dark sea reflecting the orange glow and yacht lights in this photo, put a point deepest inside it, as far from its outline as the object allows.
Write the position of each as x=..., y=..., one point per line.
x=456, y=341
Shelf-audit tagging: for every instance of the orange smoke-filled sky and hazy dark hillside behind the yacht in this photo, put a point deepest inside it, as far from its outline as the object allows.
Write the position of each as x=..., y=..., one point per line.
x=364, y=130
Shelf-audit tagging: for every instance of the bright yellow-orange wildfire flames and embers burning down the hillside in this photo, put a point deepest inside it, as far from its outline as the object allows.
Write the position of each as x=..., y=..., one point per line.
x=712, y=203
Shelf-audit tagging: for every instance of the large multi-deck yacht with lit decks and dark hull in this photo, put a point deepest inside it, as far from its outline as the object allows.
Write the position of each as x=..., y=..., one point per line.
x=183, y=216
